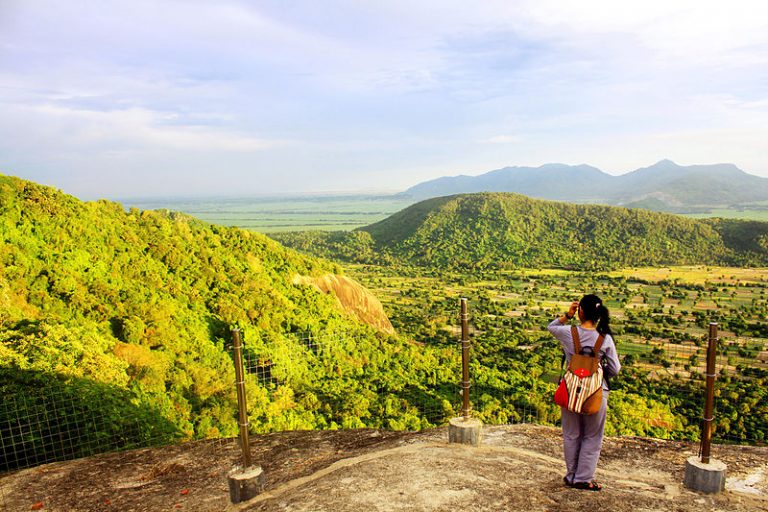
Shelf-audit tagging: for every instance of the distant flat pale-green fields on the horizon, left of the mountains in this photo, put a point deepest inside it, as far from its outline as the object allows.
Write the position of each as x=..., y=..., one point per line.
x=277, y=214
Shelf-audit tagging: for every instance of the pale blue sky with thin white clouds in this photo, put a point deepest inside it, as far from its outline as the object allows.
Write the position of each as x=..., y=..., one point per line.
x=157, y=98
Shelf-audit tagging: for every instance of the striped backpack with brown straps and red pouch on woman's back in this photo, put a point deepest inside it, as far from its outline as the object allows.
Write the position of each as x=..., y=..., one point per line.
x=581, y=386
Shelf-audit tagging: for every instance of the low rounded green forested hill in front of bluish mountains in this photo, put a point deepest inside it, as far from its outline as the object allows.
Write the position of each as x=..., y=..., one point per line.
x=500, y=230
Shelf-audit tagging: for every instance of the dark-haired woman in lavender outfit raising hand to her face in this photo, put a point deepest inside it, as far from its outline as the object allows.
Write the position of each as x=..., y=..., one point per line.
x=583, y=434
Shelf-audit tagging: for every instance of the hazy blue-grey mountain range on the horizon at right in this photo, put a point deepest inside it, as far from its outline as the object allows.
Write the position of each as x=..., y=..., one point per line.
x=664, y=186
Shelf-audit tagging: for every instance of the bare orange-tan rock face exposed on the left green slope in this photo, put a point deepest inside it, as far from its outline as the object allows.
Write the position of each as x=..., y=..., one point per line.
x=353, y=299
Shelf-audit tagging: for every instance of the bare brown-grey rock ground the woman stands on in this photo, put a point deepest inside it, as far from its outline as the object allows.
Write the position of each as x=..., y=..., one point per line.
x=518, y=467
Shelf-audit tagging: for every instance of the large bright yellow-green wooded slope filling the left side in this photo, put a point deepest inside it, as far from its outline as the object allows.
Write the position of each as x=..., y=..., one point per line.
x=126, y=316
